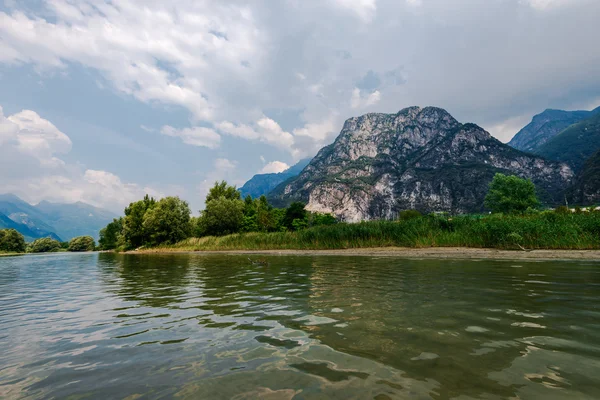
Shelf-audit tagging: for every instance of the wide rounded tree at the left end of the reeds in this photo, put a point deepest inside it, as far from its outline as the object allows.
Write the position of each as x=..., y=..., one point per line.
x=168, y=221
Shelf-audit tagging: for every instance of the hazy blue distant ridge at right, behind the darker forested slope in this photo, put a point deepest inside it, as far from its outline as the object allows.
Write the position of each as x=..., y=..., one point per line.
x=545, y=126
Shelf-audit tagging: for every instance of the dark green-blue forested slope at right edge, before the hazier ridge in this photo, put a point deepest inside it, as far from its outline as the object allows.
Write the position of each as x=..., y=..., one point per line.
x=575, y=144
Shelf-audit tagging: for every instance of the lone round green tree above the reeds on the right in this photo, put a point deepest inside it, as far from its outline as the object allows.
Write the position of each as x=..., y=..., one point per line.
x=511, y=194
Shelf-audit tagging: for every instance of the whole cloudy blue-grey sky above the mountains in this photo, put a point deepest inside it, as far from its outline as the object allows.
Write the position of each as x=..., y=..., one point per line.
x=105, y=100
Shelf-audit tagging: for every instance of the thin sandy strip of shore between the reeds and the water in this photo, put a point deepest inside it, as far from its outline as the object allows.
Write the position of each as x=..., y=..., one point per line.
x=401, y=252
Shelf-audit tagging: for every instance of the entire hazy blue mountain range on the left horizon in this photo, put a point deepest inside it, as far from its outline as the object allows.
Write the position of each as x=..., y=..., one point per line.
x=59, y=221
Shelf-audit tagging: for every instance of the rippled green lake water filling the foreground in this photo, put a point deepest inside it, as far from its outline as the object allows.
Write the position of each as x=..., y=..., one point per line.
x=103, y=326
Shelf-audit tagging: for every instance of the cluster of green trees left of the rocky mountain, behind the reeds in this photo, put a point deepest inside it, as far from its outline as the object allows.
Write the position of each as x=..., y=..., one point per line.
x=150, y=222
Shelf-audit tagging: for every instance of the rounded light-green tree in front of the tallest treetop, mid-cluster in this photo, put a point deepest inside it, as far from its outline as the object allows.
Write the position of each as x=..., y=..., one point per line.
x=222, y=216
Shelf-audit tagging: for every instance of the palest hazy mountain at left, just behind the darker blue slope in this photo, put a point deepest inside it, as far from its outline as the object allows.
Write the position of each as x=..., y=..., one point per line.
x=78, y=219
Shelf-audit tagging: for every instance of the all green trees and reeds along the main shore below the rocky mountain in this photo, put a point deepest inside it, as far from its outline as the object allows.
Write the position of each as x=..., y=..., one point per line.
x=231, y=224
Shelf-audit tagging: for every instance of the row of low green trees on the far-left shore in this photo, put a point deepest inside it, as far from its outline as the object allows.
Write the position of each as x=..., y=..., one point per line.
x=11, y=241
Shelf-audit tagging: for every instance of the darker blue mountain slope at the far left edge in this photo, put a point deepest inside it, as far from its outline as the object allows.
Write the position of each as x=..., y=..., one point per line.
x=30, y=221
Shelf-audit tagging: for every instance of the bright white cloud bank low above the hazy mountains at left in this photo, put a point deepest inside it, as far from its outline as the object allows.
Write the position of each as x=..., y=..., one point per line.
x=30, y=168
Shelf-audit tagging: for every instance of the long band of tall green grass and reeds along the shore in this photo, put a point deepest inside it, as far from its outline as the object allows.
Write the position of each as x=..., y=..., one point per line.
x=547, y=230
